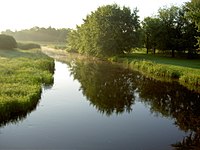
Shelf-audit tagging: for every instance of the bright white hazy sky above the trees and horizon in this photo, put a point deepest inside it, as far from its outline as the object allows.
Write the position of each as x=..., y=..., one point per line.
x=23, y=14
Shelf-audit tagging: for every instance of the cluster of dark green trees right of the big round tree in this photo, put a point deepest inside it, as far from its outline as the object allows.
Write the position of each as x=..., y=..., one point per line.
x=170, y=30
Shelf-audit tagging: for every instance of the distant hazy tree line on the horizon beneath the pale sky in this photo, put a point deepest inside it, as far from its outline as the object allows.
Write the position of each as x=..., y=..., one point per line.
x=38, y=34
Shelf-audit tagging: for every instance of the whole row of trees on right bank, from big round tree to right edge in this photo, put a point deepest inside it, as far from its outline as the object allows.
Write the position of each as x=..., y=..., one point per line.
x=112, y=30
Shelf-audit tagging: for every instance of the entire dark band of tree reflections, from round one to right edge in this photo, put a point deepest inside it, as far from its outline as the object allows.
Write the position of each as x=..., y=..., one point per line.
x=111, y=89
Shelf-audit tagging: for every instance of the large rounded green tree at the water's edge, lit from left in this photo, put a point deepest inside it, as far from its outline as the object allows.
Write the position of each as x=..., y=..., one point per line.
x=109, y=30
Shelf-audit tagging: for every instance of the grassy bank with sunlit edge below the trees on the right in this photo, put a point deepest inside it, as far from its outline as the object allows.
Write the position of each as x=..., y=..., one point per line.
x=186, y=71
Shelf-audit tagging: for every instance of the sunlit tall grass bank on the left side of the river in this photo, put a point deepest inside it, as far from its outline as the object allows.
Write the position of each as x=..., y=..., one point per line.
x=22, y=74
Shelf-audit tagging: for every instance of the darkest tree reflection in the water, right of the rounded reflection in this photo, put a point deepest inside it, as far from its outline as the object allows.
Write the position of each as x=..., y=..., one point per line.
x=174, y=101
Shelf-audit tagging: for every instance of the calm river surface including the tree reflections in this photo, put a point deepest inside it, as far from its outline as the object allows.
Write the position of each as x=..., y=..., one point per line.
x=99, y=106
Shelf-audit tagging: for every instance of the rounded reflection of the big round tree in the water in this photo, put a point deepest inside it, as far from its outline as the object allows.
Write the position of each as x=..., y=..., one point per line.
x=109, y=88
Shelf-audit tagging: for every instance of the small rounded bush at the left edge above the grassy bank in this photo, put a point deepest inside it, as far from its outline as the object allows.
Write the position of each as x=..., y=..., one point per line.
x=7, y=42
